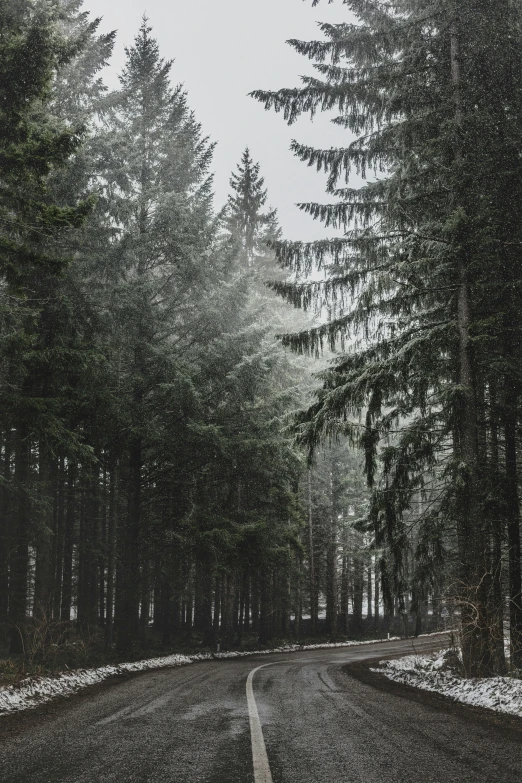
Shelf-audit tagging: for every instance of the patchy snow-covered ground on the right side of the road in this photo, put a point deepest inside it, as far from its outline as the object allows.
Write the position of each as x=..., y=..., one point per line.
x=429, y=672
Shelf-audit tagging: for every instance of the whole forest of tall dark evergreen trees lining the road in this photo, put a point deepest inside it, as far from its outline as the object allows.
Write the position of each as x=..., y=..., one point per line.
x=170, y=469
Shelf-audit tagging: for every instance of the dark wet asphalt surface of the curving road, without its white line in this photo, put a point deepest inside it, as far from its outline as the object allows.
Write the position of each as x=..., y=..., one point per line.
x=325, y=718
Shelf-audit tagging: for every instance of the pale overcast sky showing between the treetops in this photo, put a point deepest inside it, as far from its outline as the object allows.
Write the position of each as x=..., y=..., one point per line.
x=223, y=49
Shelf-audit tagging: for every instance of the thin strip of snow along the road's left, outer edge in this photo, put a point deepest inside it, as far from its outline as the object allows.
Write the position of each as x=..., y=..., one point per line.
x=34, y=691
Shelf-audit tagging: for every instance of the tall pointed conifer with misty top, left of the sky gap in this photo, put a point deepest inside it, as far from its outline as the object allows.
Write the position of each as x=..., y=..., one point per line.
x=158, y=163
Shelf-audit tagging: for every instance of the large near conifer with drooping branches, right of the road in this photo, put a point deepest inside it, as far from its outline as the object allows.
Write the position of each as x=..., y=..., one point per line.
x=409, y=283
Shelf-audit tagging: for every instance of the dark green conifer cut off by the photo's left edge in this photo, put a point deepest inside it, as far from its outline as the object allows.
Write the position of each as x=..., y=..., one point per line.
x=34, y=143
